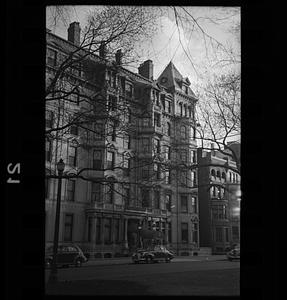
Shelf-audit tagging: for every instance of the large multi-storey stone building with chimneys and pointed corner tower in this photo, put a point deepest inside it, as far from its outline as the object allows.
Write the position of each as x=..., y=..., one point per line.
x=128, y=148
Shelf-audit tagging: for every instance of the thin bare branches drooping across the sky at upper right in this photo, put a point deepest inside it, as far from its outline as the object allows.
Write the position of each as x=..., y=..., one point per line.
x=194, y=23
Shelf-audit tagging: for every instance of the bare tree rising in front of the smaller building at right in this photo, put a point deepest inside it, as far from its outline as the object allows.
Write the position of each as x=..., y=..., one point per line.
x=219, y=114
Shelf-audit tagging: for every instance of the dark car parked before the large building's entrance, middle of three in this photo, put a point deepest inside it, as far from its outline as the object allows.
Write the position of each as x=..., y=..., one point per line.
x=156, y=254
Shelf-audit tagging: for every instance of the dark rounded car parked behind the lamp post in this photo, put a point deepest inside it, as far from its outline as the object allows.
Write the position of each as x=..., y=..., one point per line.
x=68, y=254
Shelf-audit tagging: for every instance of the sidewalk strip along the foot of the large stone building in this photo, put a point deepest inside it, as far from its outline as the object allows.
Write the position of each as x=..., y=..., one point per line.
x=128, y=260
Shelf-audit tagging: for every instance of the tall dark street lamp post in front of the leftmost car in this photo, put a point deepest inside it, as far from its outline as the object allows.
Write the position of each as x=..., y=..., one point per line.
x=54, y=273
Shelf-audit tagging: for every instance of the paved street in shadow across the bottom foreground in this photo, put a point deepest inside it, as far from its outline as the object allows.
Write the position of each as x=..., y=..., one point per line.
x=180, y=277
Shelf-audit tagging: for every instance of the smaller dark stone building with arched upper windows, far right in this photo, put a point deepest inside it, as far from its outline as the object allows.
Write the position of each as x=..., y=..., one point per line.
x=219, y=205
